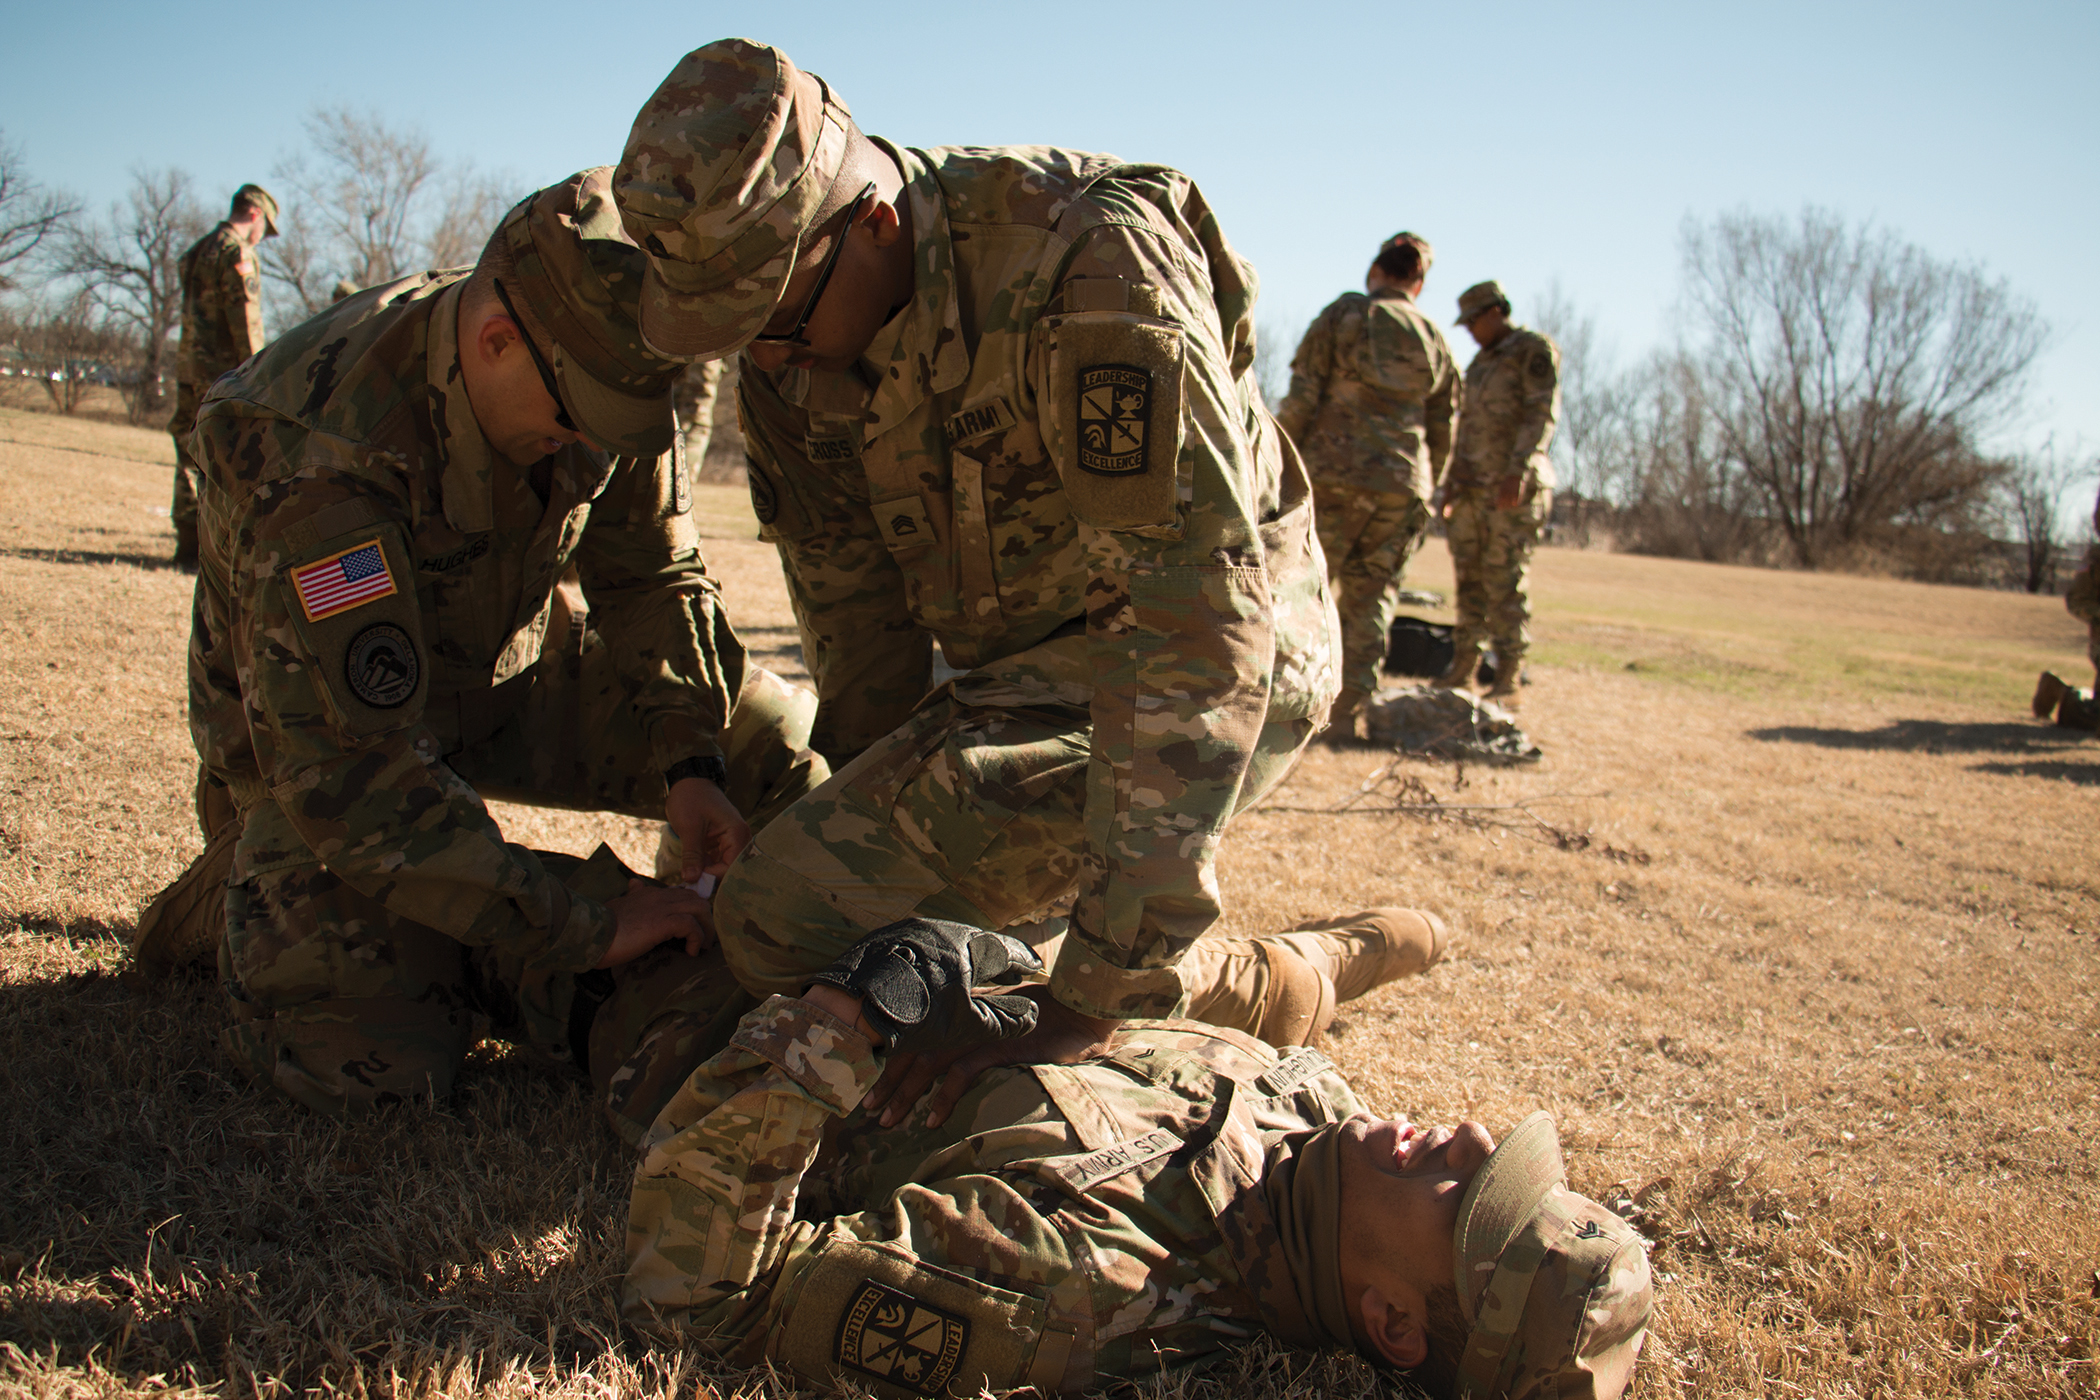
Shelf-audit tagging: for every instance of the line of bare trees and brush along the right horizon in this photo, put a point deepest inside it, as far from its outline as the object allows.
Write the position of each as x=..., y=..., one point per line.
x=1832, y=402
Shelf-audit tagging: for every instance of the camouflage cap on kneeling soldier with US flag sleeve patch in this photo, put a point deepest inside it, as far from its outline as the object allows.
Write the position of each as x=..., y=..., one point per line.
x=583, y=276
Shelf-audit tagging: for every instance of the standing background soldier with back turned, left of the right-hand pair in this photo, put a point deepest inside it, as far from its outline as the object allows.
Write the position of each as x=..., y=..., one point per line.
x=1374, y=391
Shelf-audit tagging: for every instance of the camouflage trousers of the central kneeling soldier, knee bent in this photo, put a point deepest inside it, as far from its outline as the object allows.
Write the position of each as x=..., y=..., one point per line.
x=971, y=811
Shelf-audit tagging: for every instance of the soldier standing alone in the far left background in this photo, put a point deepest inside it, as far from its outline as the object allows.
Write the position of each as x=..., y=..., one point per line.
x=222, y=328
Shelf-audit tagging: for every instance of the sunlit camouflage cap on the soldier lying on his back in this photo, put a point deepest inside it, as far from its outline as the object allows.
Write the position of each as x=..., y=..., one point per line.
x=1553, y=1284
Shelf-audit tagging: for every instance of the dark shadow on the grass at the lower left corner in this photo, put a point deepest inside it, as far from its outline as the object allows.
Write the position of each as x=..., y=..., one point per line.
x=165, y=1218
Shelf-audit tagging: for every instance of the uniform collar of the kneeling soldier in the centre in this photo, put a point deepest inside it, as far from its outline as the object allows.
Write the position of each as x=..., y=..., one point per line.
x=921, y=352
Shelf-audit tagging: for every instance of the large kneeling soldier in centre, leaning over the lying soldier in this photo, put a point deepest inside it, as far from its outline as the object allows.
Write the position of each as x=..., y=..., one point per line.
x=999, y=402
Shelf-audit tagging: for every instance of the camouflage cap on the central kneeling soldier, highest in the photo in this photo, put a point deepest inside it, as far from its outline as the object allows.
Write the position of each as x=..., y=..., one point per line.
x=723, y=175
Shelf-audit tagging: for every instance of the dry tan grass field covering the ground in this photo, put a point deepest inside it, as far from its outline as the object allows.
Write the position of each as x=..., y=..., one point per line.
x=1815, y=1002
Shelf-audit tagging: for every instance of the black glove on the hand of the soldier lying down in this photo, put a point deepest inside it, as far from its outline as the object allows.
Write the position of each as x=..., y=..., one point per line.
x=915, y=983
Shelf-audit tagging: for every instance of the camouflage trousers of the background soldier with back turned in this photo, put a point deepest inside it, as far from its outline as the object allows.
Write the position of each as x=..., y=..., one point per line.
x=1368, y=538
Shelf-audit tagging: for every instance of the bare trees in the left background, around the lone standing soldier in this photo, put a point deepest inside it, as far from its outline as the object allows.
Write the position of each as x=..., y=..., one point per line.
x=98, y=301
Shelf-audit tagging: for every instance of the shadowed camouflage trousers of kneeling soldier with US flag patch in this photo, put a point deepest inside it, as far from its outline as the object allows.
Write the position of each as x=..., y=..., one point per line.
x=345, y=1004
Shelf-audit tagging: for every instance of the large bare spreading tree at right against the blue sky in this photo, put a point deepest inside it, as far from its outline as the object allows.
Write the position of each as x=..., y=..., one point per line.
x=1851, y=375
